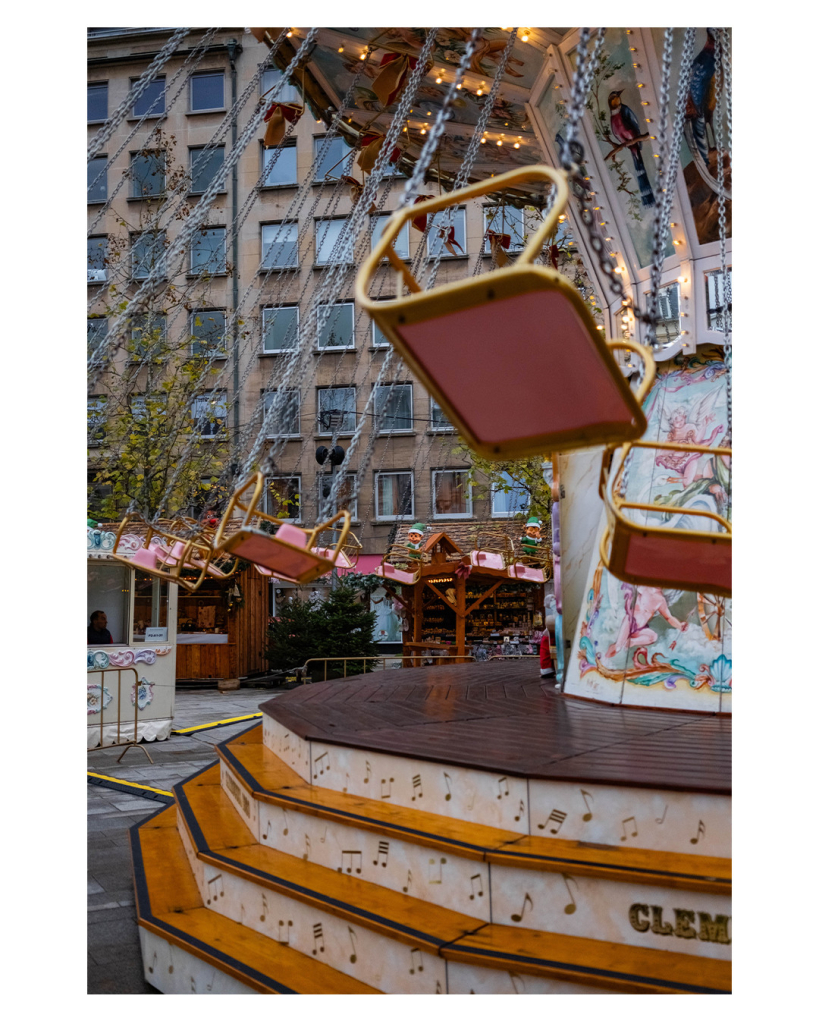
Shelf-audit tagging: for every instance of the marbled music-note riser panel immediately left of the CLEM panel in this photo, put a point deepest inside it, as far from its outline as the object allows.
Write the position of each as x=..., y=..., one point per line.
x=450, y=881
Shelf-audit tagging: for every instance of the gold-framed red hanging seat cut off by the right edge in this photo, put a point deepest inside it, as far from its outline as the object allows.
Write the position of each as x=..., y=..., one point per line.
x=667, y=557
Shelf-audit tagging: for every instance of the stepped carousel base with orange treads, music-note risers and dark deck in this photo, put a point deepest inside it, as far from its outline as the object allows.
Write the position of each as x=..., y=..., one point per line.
x=287, y=869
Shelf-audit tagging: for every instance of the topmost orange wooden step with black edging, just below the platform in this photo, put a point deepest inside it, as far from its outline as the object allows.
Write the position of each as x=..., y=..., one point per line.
x=268, y=779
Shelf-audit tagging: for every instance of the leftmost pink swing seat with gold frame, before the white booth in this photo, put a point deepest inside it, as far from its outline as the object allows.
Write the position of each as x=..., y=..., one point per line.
x=162, y=552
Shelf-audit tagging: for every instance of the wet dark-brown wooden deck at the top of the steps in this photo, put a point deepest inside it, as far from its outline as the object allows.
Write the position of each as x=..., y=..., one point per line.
x=501, y=717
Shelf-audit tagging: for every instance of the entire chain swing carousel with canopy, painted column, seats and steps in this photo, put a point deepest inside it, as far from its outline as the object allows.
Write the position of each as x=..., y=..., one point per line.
x=464, y=831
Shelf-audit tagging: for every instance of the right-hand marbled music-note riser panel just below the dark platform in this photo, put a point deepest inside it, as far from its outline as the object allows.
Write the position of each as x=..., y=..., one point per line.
x=621, y=817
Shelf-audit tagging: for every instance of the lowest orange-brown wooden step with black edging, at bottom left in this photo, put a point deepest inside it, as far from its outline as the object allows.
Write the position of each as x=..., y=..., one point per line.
x=169, y=905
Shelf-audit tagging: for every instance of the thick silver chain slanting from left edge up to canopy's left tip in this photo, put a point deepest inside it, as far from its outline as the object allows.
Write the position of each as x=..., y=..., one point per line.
x=195, y=222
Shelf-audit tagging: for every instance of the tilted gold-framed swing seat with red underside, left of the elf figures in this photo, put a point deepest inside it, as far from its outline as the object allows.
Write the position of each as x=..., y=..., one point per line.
x=290, y=553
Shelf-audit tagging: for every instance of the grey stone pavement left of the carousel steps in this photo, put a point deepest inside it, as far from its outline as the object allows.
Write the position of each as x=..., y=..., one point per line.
x=115, y=963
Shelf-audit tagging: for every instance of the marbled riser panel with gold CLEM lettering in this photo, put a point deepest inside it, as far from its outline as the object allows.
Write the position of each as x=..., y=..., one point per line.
x=614, y=912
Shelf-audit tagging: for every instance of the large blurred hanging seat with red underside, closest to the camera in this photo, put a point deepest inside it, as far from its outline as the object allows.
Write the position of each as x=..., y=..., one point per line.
x=527, y=324
